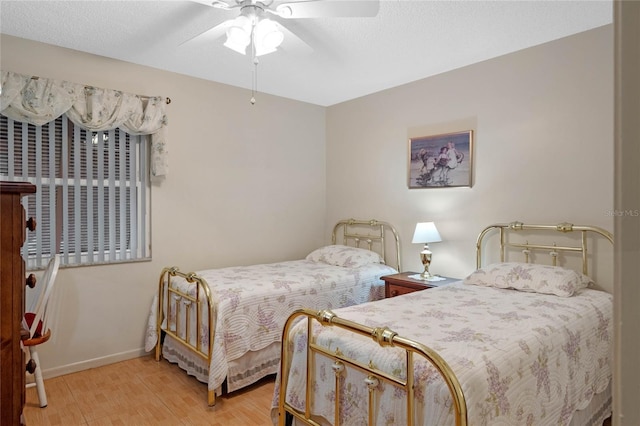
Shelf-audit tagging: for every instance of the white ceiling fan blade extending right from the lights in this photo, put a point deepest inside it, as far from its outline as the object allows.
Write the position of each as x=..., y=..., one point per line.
x=328, y=9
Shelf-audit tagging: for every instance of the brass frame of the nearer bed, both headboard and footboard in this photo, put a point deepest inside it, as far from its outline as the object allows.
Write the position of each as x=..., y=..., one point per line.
x=388, y=338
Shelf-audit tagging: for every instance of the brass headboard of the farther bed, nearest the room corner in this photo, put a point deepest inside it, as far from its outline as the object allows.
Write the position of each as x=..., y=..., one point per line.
x=370, y=234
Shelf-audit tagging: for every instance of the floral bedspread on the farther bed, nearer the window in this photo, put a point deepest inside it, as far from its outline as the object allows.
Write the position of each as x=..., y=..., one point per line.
x=253, y=302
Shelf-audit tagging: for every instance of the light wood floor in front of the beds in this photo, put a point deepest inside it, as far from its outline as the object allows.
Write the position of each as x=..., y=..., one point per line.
x=141, y=392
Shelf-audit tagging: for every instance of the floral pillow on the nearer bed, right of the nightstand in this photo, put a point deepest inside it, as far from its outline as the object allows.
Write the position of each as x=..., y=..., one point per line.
x=530, y=277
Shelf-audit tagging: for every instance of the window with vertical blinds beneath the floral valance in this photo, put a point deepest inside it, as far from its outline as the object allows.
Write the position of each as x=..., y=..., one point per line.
x=92, y=191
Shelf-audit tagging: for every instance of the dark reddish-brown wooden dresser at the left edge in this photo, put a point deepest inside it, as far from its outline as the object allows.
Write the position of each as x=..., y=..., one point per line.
x=13, y=226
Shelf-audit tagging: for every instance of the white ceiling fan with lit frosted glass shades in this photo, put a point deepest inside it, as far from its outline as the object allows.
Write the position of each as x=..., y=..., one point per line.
x=259, y=23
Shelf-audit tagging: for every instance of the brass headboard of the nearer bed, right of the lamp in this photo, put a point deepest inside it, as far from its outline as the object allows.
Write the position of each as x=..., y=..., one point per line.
x=553, y=244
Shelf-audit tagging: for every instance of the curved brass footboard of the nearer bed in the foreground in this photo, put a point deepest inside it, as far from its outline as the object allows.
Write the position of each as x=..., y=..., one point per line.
x=374, y=376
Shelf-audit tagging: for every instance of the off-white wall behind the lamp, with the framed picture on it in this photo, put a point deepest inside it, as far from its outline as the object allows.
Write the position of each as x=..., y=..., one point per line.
x=543, y=122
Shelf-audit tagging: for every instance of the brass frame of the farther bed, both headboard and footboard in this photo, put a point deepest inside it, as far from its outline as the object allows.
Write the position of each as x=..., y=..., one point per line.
x=370, y=234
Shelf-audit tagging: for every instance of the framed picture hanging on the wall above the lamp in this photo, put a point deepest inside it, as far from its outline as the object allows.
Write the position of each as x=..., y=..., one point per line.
x=441, y=161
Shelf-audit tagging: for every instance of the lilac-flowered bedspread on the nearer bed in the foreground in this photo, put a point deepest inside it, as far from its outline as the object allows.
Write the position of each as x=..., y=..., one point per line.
x=521, y=358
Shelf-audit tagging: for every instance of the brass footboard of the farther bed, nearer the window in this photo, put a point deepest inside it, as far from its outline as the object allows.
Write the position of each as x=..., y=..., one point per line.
x=187, y=313
